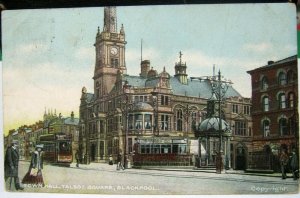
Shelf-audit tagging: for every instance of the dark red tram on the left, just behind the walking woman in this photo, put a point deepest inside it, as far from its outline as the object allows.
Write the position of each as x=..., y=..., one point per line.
x=57, y=149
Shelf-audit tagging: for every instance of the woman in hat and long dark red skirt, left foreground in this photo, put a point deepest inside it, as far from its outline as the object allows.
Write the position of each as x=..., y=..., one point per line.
x=34, y=174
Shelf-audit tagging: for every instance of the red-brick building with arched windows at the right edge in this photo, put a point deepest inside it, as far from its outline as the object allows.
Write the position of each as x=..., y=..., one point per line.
x=275, y=111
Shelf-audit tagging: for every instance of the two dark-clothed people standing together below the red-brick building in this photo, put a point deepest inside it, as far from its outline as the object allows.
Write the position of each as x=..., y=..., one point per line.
x=291, y=163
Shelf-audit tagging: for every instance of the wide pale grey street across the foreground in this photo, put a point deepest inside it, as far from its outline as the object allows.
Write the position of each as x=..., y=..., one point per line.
x=105, y=179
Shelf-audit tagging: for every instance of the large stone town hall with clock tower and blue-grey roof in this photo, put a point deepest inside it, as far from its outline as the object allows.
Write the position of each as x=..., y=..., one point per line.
x=151, y=116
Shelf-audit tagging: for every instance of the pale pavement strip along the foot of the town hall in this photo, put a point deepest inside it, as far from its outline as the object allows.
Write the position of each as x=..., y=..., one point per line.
x=105, y=166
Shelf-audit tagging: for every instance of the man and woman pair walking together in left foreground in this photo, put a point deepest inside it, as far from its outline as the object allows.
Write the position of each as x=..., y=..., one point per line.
x=11, y=165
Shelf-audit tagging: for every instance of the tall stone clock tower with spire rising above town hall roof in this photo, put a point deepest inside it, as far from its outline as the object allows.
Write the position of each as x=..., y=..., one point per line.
x=110, y=54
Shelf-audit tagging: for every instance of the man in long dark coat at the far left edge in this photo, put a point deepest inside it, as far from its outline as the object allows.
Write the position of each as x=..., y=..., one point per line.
x=11, y=166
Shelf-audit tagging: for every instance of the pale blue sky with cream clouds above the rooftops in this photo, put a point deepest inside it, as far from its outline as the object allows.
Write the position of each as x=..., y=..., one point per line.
x=48, y=54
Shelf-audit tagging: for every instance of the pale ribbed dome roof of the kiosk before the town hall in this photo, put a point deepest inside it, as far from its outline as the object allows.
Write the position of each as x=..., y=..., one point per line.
x=212, y=124
